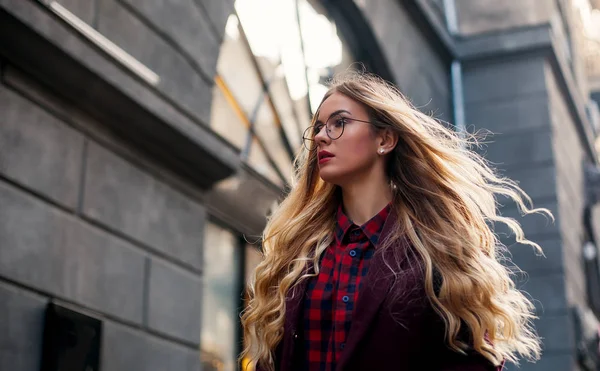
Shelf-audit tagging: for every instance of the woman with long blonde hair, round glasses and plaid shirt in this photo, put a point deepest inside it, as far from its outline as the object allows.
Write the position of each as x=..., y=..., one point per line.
x=382, y=256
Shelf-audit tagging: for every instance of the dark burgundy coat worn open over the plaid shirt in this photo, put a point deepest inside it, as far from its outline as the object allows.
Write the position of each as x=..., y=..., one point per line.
x=389, y=332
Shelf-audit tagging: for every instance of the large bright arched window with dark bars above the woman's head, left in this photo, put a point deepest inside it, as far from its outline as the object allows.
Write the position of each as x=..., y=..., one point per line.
x=271, y=77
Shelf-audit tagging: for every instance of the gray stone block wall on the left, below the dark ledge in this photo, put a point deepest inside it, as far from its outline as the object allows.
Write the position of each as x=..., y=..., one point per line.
x=90, y=224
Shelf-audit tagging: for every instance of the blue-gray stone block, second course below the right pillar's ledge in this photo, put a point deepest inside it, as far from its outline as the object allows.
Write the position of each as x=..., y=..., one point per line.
x=508, y=116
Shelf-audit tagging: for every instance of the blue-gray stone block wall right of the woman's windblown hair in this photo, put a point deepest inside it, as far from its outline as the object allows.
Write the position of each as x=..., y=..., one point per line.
x=522, y=148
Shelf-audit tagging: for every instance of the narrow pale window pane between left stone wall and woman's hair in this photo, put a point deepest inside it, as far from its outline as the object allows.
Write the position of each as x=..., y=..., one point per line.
x=222, y=278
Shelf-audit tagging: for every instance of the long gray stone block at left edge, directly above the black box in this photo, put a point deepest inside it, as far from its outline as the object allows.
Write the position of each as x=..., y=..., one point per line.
x=54, y=252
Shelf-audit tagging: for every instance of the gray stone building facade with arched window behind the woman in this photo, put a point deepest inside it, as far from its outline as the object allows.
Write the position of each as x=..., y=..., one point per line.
x=142, y=144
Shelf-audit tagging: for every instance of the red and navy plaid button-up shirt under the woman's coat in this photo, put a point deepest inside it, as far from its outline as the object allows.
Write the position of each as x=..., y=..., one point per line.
x=332, y=295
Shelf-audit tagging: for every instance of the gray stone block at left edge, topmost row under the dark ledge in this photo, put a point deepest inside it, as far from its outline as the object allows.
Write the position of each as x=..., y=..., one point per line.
x=39, y=151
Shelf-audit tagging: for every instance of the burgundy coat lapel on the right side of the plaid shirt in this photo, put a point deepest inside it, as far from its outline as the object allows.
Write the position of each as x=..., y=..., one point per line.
x=375, y=289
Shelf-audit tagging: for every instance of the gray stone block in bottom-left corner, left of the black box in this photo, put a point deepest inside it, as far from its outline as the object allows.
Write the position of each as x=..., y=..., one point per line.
x=21, y=329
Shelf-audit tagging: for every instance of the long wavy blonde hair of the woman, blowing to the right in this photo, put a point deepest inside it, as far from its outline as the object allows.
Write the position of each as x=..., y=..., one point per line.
x=445, y=201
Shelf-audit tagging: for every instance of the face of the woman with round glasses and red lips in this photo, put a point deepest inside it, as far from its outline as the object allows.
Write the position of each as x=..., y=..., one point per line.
x=354, y=153
